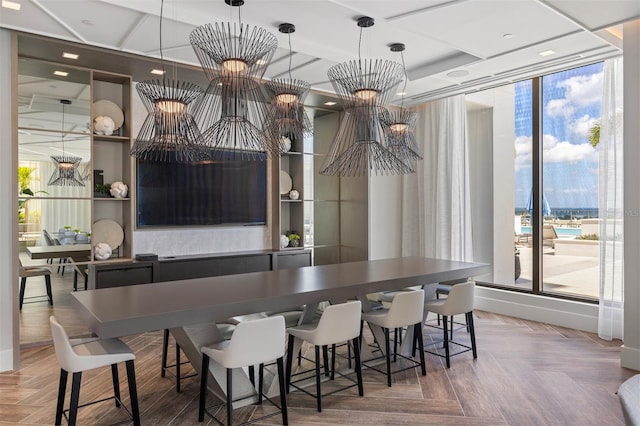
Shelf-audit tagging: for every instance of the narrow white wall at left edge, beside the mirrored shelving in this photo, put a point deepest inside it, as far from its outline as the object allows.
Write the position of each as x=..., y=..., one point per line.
x=9, y=344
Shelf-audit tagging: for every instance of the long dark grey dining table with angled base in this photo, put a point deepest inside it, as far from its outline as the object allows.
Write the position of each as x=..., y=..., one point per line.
x=182, y=306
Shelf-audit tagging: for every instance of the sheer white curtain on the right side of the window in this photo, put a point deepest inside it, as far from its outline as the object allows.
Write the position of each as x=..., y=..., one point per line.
x=610, y=323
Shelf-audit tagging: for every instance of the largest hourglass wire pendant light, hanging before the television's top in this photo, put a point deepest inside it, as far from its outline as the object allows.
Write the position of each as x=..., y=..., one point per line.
x=233, y=109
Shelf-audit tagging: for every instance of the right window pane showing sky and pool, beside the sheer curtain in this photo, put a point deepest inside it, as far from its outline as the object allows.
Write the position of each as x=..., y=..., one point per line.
x=572, y=103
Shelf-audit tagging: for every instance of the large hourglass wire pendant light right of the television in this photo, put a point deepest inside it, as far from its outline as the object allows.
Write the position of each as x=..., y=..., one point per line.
x=363, y=87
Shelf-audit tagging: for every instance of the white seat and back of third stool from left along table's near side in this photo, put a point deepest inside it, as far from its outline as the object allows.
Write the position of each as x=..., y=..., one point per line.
x=406, y=309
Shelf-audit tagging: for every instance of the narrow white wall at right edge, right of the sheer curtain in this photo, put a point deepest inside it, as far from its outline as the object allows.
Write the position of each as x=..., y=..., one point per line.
x=630, y=356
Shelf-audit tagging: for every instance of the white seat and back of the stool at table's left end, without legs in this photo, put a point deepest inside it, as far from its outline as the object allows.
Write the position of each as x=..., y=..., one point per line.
x=86, y=356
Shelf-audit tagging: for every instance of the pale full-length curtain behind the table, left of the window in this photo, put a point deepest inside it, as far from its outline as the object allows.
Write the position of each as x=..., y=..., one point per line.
x=436, y=201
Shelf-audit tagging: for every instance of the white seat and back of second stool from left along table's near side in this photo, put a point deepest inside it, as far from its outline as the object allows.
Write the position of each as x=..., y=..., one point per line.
x=338, y=323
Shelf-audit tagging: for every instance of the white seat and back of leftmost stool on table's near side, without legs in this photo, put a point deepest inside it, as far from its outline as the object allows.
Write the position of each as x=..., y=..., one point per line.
x=252, y=342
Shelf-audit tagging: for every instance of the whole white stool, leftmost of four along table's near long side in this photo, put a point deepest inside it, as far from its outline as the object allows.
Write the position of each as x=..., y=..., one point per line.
x=252, y=343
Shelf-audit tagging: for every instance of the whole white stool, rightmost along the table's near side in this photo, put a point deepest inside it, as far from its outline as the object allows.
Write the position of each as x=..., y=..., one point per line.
x=459, y=301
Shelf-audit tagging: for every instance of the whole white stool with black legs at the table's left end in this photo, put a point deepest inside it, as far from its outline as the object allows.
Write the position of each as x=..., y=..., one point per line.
x=78, y=355
